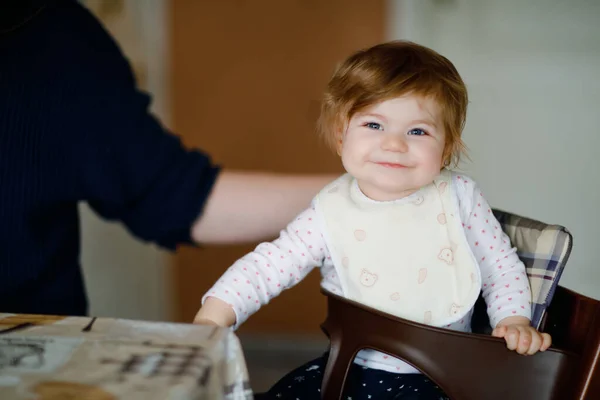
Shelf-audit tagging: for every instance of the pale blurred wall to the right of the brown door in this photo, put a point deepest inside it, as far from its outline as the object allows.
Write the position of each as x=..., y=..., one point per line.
x=532, y=69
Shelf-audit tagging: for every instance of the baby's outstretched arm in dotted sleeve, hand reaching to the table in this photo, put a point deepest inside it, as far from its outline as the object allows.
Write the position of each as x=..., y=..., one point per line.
x=264, y=273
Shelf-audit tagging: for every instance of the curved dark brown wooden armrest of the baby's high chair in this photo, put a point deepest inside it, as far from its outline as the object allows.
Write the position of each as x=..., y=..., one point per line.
x=465, y=366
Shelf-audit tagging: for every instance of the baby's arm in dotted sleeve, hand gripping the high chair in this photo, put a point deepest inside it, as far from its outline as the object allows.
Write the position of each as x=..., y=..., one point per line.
x=504, y=280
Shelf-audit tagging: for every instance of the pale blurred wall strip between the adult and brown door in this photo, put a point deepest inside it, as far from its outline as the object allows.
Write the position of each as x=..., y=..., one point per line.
x=126, y=278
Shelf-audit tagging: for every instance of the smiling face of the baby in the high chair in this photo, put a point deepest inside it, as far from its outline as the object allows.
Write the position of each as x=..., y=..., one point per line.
x=395, y=147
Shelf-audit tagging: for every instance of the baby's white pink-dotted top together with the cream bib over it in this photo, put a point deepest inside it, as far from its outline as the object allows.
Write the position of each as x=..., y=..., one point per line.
x=425, y=257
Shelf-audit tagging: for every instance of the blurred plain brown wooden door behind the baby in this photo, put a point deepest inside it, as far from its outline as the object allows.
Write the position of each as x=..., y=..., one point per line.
x=247, y=82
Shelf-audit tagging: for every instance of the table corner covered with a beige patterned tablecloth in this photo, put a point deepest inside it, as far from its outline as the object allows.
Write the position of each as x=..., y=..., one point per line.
x=51, y=357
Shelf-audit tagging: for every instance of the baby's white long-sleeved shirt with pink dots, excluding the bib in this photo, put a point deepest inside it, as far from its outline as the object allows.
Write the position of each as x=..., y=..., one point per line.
x=272, y=267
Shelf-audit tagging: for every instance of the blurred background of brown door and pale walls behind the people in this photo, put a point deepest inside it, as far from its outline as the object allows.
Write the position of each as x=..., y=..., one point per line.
x=243, y=79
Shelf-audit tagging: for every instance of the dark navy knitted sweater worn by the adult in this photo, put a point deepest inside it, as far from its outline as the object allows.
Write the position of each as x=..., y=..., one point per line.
x=73, y=128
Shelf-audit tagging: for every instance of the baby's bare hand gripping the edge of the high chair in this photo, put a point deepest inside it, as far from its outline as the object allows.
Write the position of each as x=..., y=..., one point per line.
x=521, y=336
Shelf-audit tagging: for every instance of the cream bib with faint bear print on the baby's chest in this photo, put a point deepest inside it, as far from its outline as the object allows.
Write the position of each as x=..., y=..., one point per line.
x=409, y=257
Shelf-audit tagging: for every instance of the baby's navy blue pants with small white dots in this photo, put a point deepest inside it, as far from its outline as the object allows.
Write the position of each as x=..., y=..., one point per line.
x=304, y=383
